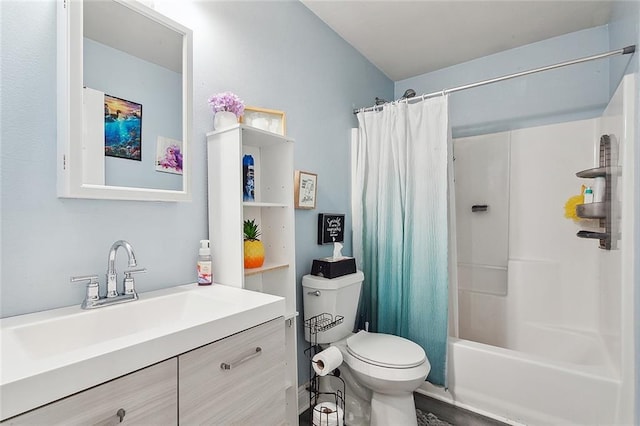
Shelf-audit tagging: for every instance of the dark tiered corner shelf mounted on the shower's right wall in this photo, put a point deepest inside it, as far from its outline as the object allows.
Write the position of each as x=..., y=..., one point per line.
x=601, y=210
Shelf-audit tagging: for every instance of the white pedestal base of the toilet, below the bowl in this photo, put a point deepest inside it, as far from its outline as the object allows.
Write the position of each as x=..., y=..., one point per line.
x=398, y=409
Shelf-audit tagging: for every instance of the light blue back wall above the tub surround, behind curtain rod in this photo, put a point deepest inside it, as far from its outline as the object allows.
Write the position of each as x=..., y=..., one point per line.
x=571, y=93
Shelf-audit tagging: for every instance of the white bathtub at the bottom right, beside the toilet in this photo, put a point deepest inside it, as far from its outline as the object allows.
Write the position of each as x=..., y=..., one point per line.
x=532, y=389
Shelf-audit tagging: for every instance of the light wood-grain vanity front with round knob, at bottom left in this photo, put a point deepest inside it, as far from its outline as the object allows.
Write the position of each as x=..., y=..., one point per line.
x=148, y=396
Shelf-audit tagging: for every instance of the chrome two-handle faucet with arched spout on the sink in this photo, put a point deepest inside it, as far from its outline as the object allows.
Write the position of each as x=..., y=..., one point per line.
x=93, y=299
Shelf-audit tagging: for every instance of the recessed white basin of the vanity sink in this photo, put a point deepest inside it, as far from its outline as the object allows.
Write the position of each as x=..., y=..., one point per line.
x=79, y=330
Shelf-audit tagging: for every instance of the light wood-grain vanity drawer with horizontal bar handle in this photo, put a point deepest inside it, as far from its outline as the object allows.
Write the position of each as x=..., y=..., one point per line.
x=250, y=391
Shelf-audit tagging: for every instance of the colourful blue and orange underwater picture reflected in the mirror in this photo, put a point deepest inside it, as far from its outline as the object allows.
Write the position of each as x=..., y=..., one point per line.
x=122, y=128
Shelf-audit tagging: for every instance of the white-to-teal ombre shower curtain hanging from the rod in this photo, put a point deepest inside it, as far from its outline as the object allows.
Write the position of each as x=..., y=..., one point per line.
x=400, y=223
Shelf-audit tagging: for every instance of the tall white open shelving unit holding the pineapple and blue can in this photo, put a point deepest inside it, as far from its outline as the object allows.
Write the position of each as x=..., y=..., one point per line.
x=274, y=212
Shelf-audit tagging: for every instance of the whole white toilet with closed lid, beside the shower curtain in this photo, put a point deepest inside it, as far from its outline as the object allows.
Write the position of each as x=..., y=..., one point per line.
x=389, y=368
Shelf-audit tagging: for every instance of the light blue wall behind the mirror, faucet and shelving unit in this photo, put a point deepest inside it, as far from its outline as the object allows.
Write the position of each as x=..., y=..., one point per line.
x=272, y=54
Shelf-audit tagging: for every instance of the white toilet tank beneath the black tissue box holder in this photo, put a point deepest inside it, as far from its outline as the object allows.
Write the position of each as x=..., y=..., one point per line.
x=337, y=296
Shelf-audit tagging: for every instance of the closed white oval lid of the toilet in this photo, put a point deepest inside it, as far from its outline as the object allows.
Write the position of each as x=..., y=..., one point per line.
x=385, y=350
